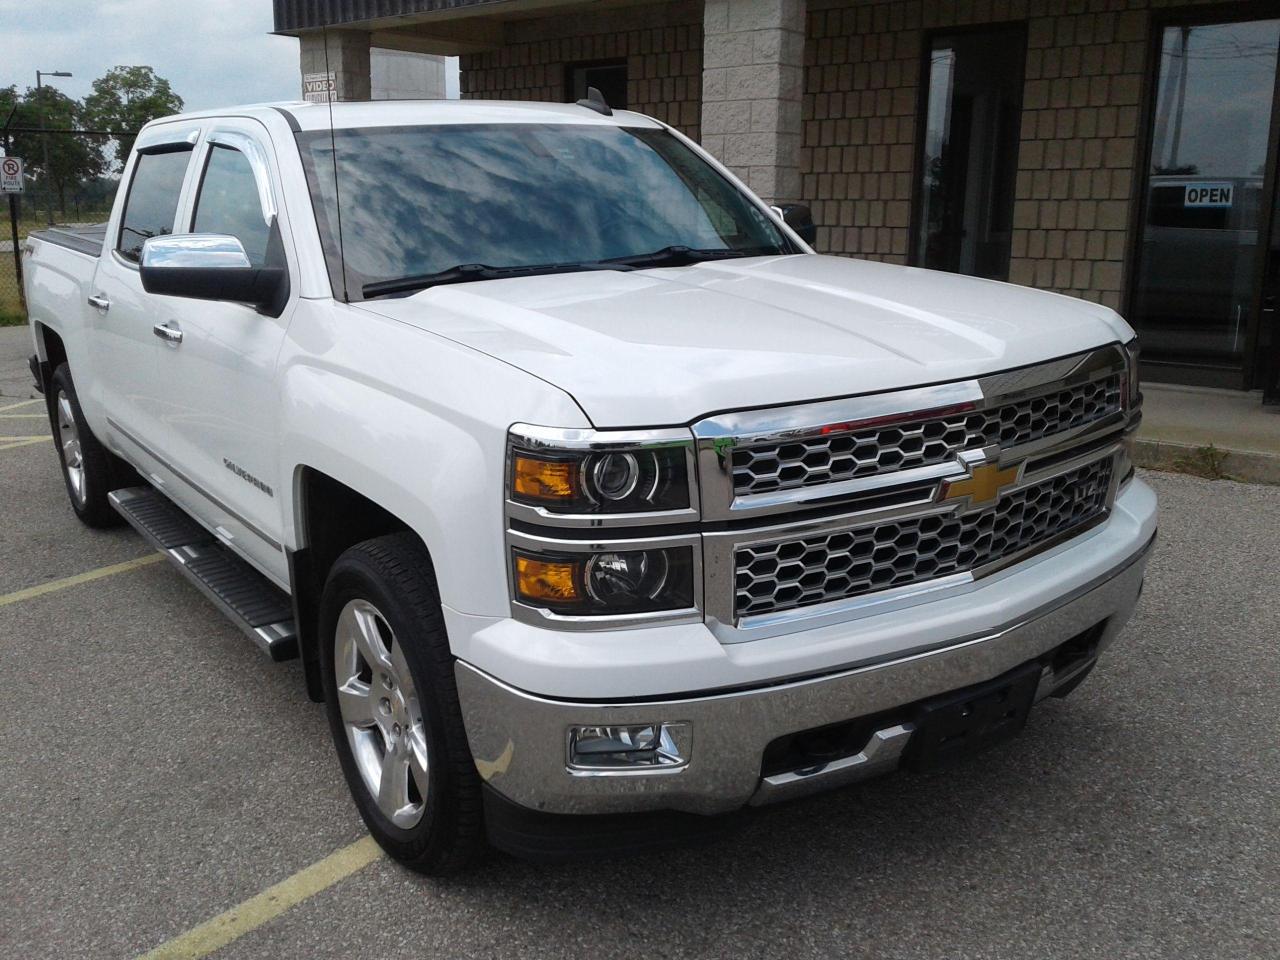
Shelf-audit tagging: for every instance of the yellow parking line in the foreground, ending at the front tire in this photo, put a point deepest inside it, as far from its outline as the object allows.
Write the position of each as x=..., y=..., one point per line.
x=217, y=934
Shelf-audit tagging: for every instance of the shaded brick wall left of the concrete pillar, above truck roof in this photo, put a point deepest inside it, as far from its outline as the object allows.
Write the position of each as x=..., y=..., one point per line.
x=662, y=44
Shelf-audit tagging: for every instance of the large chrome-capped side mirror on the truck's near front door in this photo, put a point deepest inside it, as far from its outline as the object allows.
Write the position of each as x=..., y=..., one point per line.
x=212, y=267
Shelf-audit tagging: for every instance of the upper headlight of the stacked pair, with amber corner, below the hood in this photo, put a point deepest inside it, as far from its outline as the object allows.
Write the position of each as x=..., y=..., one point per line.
x=586, y=473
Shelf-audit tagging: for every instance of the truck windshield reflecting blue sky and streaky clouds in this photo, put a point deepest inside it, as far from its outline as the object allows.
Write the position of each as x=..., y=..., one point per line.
x=423, y=200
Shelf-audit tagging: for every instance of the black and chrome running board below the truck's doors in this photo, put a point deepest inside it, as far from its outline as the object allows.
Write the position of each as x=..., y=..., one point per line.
x=249, y=600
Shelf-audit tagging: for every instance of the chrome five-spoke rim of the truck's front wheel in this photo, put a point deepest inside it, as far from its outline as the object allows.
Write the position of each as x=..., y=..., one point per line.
x=381, y=714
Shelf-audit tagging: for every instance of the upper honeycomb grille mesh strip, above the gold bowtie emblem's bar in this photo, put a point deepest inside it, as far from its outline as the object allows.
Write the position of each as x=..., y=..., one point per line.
x=907, y=444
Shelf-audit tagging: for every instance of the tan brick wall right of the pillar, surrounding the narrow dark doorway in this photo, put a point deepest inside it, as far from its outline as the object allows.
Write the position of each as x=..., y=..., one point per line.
x=1086, y=61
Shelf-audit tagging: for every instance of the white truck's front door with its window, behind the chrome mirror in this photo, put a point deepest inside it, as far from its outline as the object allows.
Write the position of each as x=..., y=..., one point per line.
x=221, y=404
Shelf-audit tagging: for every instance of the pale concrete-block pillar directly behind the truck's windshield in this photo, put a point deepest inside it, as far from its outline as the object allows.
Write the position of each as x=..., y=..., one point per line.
x=753, y=80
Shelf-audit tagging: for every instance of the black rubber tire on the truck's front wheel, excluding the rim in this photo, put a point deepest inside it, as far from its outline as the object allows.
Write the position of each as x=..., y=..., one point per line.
x=395, y=575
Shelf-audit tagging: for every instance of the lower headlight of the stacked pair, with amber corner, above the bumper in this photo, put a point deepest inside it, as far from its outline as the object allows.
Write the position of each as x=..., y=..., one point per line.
x=606, y=583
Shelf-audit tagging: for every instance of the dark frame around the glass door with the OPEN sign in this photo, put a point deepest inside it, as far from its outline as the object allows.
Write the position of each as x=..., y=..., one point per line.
x=1201, y=16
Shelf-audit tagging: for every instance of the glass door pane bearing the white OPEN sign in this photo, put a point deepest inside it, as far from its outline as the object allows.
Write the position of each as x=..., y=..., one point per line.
x=1196, y=289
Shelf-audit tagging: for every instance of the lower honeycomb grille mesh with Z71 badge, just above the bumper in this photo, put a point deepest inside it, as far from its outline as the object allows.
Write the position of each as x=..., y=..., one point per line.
x=789, y=574
